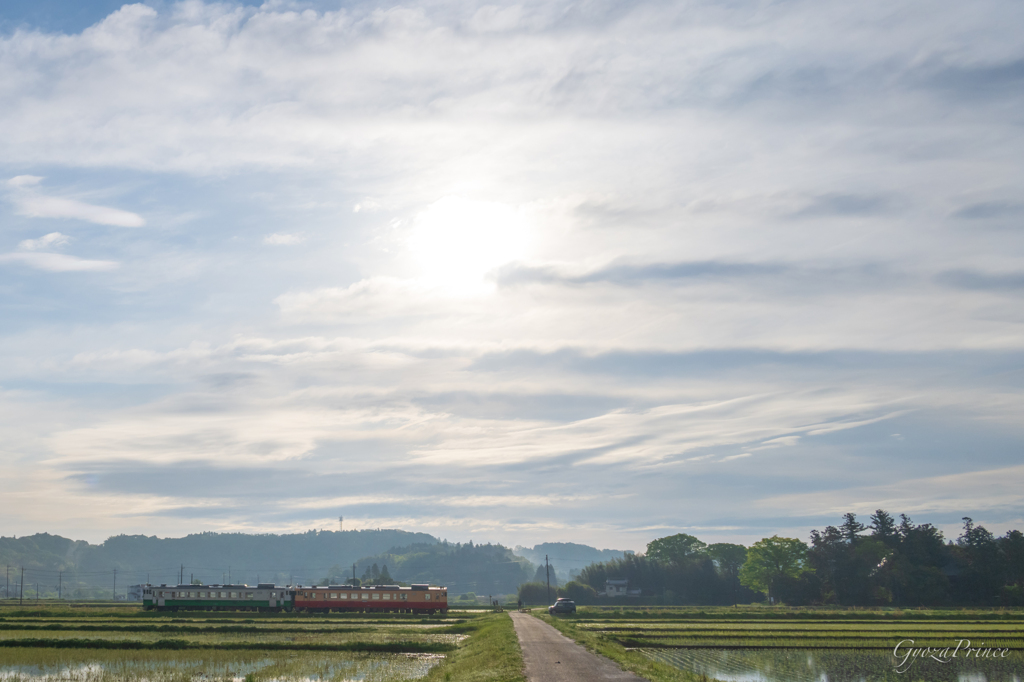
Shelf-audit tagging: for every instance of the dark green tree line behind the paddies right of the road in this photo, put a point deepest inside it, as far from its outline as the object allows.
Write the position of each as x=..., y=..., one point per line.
x=885, y=563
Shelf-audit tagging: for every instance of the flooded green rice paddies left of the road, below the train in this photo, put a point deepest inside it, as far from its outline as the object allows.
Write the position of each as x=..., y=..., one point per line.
x=65, y=645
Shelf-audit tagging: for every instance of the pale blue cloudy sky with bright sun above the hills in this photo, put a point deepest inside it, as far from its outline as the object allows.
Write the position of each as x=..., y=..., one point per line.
x=594, y=272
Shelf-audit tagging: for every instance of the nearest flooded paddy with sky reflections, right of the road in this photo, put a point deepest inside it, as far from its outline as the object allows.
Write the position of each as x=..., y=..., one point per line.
x=833, y=666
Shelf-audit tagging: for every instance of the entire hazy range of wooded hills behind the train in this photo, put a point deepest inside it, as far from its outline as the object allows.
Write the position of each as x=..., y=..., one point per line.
x=81, y=570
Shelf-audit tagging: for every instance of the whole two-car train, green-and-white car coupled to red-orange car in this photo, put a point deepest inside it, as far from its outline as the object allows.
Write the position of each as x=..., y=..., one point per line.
x=315, y=600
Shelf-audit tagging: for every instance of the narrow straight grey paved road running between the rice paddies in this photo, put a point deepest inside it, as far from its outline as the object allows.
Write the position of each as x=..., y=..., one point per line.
x=551, y=657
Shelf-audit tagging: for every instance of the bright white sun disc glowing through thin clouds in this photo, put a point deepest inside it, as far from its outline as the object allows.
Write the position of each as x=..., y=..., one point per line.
x=457, y=242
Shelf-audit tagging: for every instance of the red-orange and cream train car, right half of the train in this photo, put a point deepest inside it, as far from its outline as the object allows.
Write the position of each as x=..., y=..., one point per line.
x=381, y=599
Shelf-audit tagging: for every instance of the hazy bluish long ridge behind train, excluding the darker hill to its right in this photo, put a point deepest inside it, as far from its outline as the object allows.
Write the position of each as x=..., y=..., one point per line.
x=208, y=557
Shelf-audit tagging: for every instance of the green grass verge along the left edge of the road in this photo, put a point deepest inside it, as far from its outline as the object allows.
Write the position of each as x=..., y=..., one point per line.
x=491, y=654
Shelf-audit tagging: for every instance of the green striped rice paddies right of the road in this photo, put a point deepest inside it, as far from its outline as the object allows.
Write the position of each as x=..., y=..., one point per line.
x=817, y=646
